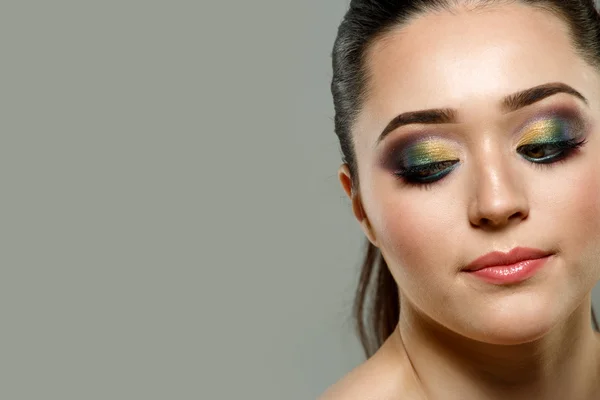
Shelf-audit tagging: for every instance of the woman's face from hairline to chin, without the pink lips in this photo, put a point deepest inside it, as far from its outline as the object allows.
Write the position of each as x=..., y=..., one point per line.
x=494, y=181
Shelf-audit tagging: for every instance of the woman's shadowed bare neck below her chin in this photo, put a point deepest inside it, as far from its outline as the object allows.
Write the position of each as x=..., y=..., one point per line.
x=564, y=363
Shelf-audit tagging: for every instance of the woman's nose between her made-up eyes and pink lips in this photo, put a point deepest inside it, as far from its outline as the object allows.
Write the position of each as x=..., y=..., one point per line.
x=499, y=198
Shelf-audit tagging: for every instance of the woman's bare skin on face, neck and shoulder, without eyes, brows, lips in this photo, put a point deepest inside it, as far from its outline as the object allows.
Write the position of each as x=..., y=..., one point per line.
x=459, y=337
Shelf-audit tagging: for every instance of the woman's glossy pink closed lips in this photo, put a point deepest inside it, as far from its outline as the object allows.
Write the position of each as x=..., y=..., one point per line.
x=505, y=268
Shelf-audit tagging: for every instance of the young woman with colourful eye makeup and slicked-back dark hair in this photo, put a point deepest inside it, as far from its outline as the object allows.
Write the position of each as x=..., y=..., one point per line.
x=470, y=133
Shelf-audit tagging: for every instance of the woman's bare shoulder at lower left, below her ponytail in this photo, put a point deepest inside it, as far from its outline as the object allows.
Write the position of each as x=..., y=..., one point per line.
x=385, y=376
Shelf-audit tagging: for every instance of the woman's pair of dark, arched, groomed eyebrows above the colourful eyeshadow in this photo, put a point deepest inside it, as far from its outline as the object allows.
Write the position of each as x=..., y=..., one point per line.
x=510, y=103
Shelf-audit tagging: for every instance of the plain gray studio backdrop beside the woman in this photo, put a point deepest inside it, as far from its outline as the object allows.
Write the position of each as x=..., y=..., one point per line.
x=172, y=223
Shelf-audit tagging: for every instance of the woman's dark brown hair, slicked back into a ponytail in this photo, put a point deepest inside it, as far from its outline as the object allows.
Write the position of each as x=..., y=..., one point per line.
x=376, y=305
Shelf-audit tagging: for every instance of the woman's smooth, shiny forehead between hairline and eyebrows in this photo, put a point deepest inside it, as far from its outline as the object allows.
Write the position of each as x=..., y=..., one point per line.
x=468, y=60
